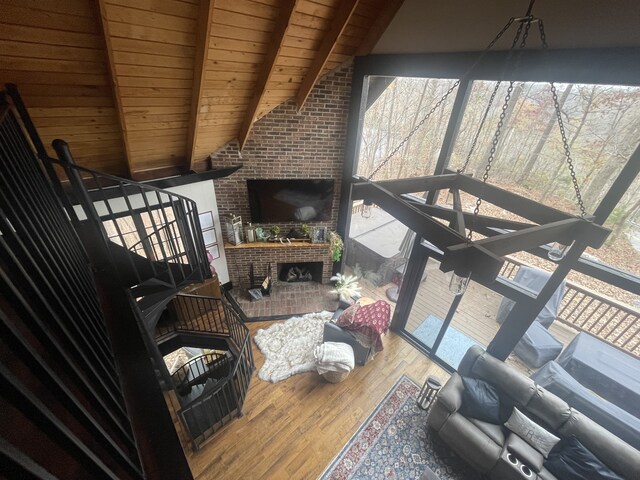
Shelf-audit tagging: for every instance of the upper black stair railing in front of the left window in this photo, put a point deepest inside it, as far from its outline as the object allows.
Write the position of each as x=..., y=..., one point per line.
x=166, y=224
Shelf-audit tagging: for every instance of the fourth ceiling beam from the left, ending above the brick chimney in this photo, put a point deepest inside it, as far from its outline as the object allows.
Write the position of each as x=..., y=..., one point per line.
x=338, y=24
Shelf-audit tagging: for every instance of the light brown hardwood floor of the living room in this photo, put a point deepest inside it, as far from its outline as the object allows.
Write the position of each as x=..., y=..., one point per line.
x=293, y=429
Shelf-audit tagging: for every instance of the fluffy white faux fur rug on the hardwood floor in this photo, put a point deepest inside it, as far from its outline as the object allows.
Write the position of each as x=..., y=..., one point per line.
x=288, y=346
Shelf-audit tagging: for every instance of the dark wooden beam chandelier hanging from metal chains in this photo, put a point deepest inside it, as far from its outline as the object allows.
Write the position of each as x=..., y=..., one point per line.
x=481, y=259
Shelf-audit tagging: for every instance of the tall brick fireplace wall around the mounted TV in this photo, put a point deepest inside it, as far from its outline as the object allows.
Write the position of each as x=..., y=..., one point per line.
x=287, y=144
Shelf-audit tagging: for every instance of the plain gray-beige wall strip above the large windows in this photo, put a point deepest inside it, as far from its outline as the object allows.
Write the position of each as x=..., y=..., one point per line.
x=426, y=26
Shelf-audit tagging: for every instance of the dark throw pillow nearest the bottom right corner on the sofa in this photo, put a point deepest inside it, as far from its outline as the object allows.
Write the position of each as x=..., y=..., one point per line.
x=573, y=461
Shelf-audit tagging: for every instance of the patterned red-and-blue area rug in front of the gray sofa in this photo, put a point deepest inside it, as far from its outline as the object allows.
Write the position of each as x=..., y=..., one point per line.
x=395, y=443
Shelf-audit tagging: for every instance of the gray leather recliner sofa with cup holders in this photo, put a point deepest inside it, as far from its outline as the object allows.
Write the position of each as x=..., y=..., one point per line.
x=486, y=446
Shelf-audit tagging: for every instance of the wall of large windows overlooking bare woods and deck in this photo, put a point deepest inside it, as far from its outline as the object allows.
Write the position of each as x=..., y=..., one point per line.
x=600, y=122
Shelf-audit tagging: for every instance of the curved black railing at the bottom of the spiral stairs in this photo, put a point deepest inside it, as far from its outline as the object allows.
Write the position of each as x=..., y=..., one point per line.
x=207, y=410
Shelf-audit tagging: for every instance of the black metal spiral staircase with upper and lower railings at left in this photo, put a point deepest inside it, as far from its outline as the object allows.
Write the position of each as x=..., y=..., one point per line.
x=151, y=240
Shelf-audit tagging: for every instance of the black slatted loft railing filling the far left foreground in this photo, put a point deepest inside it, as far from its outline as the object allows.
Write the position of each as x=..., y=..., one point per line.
x=57, y=374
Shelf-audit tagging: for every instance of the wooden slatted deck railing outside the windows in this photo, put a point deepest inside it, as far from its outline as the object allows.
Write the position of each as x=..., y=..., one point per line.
x=588, y=311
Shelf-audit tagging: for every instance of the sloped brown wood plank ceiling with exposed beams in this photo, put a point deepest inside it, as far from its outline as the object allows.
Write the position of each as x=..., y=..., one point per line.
x=148, y=88
